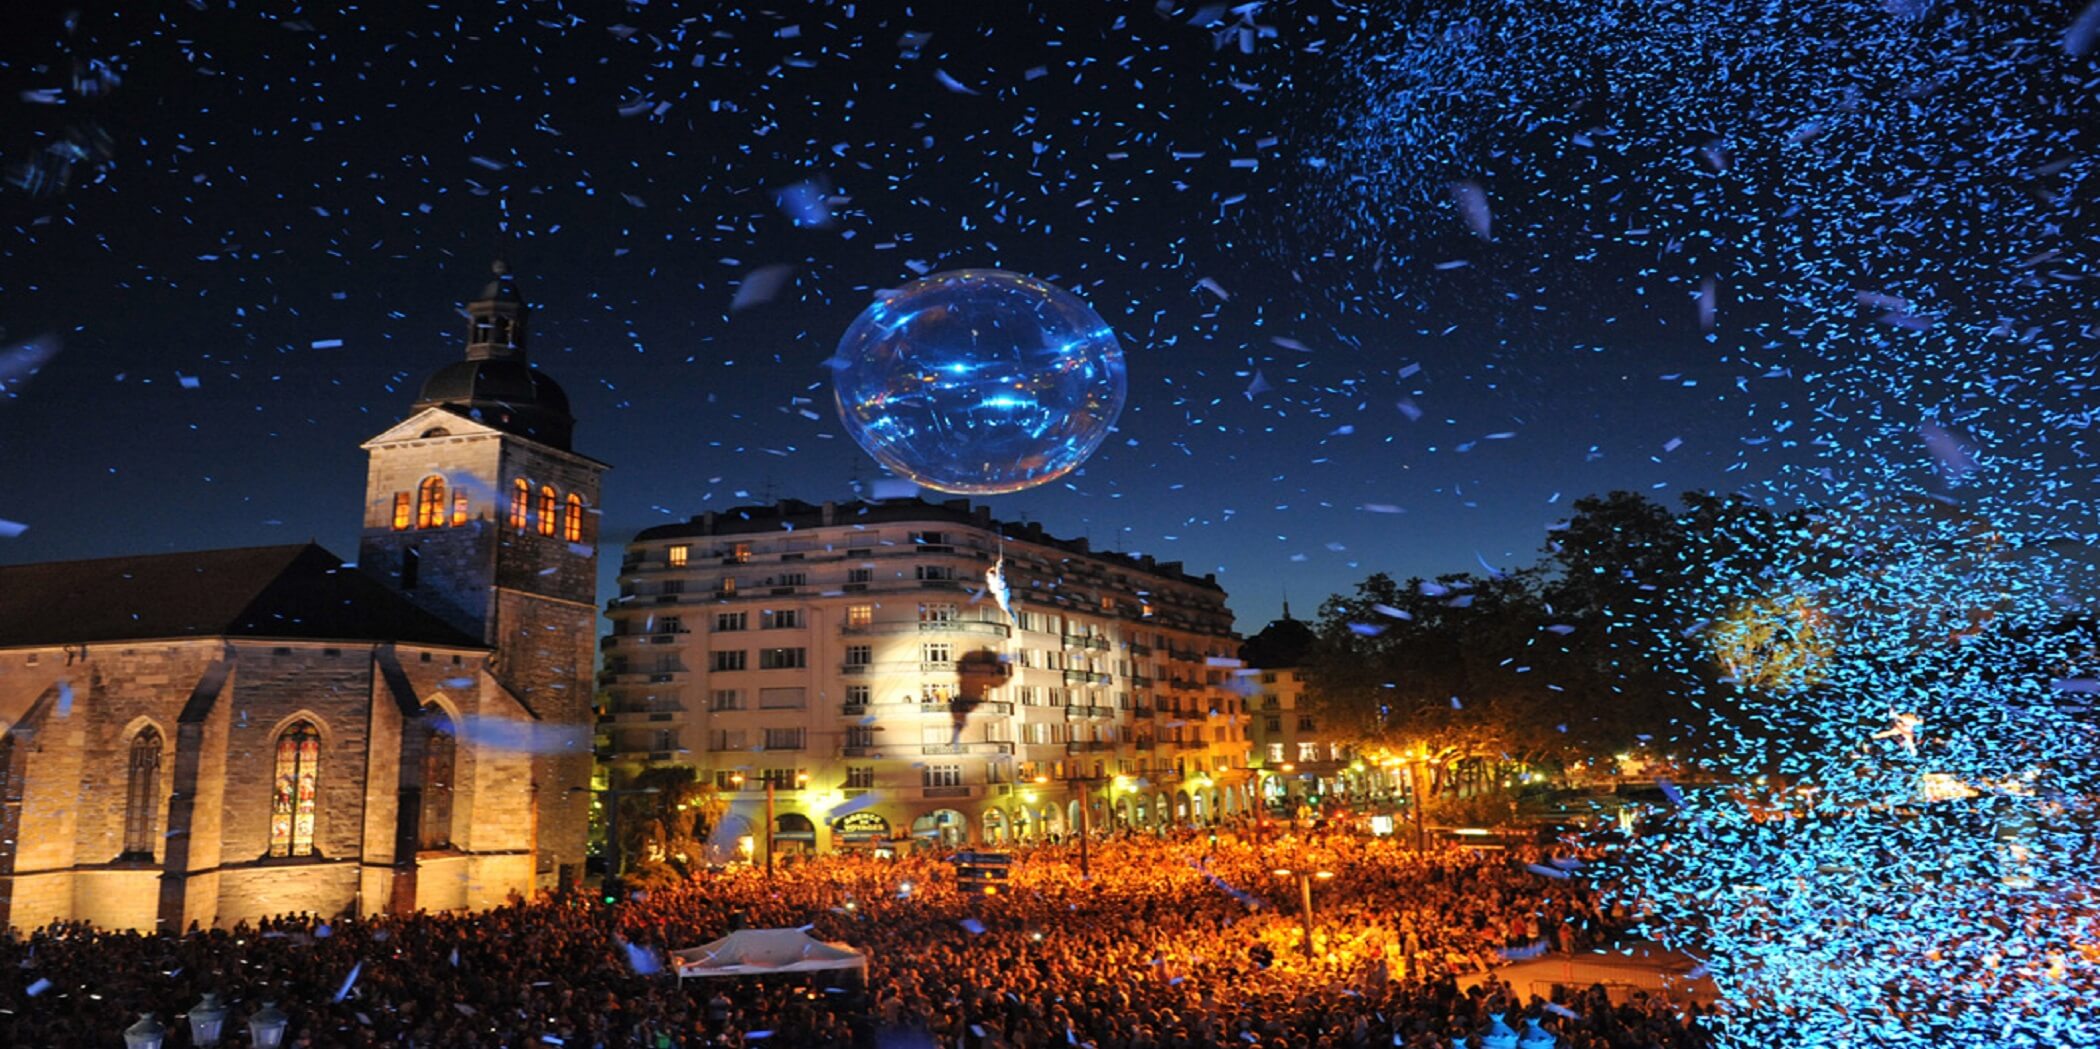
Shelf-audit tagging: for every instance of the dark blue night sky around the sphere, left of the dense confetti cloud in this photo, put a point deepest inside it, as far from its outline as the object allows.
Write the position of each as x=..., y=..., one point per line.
x=274, y=213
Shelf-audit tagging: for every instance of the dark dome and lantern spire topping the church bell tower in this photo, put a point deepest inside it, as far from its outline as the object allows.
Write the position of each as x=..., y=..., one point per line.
x=497, y=385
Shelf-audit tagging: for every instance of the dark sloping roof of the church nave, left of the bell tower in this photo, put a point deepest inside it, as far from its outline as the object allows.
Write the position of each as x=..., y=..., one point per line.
x=293, y=593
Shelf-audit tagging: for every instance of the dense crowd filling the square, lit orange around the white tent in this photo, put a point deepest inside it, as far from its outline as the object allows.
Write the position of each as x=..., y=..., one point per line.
x=1171, y=945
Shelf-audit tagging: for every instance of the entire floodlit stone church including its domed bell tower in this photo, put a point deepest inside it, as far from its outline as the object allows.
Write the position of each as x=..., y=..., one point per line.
x=238, y=733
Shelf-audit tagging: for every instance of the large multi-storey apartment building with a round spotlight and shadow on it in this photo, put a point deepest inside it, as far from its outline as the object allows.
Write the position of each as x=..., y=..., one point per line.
x=852, y=658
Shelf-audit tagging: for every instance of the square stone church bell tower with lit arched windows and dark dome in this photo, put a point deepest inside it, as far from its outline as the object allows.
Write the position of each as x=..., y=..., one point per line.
x=482, y=513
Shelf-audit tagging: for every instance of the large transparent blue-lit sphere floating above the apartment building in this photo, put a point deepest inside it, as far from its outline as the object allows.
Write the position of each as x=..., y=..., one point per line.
x=980, y=381
